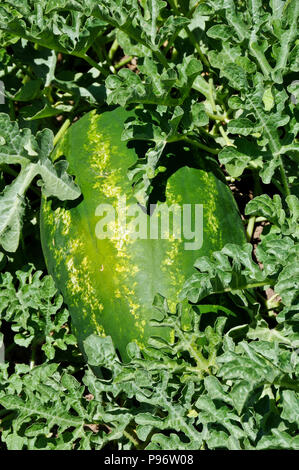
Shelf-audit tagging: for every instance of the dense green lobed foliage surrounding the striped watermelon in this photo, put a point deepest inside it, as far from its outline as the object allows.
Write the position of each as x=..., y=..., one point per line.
x=218, y=76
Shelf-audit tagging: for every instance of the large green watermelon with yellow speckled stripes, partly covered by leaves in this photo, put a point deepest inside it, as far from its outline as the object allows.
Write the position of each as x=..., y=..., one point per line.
x=109, y=272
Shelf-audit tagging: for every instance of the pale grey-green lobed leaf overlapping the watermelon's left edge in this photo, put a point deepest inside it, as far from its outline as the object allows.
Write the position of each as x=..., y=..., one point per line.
x=19, y=146
